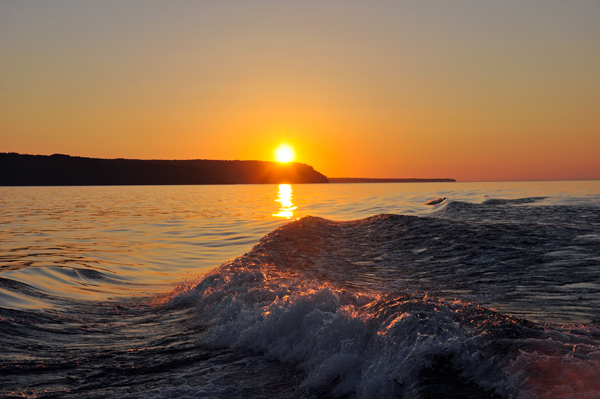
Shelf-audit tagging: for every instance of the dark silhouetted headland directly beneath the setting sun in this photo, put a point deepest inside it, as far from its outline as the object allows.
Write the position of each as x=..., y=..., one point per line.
x=64, y=170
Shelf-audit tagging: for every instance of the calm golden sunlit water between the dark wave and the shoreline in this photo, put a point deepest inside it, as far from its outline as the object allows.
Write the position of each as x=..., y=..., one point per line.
x=143, y=239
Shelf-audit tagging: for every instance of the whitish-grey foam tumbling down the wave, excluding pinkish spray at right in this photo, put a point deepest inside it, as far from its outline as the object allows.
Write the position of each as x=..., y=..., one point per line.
x=328, y=333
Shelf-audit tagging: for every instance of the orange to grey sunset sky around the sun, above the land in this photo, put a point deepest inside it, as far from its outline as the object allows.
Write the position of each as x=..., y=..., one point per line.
x=469, y=90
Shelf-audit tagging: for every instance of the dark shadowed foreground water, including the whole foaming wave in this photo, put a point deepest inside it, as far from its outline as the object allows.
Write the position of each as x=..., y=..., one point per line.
x=491, y=300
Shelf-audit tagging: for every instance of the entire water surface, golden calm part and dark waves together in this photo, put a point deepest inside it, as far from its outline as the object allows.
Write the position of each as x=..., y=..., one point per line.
x=339, y=290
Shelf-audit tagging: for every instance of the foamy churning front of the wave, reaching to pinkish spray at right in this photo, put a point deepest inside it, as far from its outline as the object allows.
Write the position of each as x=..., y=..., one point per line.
x=376, y=344
